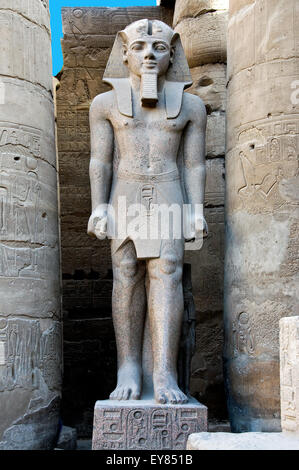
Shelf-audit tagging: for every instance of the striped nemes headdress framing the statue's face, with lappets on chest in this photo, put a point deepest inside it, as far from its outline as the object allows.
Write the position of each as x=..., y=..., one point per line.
x=177, y=77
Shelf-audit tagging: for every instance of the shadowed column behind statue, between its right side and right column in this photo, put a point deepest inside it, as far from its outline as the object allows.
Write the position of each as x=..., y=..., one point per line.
x=202, y=27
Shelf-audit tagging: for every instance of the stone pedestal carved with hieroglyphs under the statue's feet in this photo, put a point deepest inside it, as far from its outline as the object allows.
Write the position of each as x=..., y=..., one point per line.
x=146, y=425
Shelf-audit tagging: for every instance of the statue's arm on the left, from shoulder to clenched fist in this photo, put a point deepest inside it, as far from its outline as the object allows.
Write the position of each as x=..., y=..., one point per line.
x=101, y=163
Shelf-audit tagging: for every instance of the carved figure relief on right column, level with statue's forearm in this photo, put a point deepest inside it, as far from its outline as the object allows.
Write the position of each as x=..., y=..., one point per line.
x=264, y=158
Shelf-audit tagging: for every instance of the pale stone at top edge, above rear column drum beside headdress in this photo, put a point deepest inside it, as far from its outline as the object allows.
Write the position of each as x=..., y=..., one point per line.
x=193, y=8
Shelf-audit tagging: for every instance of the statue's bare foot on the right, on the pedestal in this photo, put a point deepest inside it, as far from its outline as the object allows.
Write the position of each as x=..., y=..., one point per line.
x=167, y=390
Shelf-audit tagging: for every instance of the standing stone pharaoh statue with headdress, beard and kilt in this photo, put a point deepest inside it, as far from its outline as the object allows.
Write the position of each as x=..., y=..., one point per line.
x=147, y=146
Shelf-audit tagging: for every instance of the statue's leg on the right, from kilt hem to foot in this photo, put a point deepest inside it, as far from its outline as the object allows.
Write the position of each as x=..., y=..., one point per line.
x=166, y=307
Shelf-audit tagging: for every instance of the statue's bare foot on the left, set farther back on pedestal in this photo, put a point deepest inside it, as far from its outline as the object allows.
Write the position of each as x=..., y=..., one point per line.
x=128, y=383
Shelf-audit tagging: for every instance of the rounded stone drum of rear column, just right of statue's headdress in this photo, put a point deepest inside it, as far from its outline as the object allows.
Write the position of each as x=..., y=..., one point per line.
x=204, y=38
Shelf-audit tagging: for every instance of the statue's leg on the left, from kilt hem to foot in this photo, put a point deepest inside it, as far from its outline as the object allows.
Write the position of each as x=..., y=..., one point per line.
x=128, y=312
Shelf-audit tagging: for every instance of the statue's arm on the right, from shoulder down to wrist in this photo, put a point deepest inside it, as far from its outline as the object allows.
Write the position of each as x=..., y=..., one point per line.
x=194, y=151
